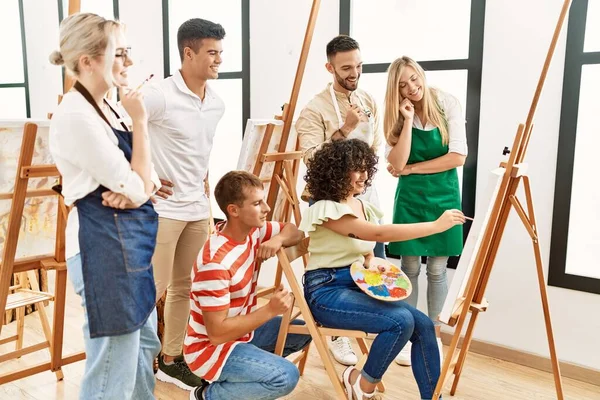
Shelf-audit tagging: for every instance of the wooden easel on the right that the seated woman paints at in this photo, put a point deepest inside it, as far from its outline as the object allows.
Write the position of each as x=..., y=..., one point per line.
x=515, y=171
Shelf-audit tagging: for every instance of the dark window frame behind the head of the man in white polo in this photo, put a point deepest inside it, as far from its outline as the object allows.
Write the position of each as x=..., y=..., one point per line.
x=244, y=74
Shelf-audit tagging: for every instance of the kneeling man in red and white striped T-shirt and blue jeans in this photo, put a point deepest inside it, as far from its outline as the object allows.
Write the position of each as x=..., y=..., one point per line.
x=229, y=340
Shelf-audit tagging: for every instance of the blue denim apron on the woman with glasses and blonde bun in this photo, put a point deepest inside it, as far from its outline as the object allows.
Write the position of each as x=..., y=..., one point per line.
x=116, y=248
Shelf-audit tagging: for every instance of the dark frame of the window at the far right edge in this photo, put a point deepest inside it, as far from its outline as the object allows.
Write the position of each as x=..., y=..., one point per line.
x=575, y=59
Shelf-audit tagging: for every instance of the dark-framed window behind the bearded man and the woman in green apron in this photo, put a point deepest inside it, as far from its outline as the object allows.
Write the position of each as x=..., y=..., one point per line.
x=452, y=64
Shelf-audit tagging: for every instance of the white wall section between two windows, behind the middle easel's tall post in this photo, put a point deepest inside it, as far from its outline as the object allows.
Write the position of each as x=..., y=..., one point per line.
x=276, y=33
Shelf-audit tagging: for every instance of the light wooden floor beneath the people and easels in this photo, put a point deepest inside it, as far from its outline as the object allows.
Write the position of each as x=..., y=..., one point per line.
x=483, y=377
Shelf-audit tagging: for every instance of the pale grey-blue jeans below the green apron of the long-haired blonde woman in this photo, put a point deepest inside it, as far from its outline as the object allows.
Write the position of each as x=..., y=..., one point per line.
x=437, y=283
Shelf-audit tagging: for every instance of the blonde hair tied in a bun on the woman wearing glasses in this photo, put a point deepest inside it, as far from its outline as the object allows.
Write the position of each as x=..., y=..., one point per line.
x=85, y=34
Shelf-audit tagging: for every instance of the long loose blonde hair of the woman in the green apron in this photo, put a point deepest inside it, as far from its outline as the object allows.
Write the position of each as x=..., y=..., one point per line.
x=393, y=119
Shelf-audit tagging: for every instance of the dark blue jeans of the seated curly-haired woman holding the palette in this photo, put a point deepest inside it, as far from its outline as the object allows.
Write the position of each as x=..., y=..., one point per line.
x=337, y=302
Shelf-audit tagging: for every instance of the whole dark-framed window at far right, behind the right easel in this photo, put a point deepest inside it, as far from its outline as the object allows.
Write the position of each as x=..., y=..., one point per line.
x=575, y=228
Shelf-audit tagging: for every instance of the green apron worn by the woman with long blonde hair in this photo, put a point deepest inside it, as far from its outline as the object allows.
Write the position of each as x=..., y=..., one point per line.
x=424, y=197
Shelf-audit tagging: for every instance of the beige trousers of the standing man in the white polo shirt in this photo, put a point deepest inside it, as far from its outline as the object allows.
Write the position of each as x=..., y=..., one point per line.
x=177, y=246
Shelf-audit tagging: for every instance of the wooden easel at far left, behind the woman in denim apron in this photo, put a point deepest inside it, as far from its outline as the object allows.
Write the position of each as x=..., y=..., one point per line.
x=29, y=294
